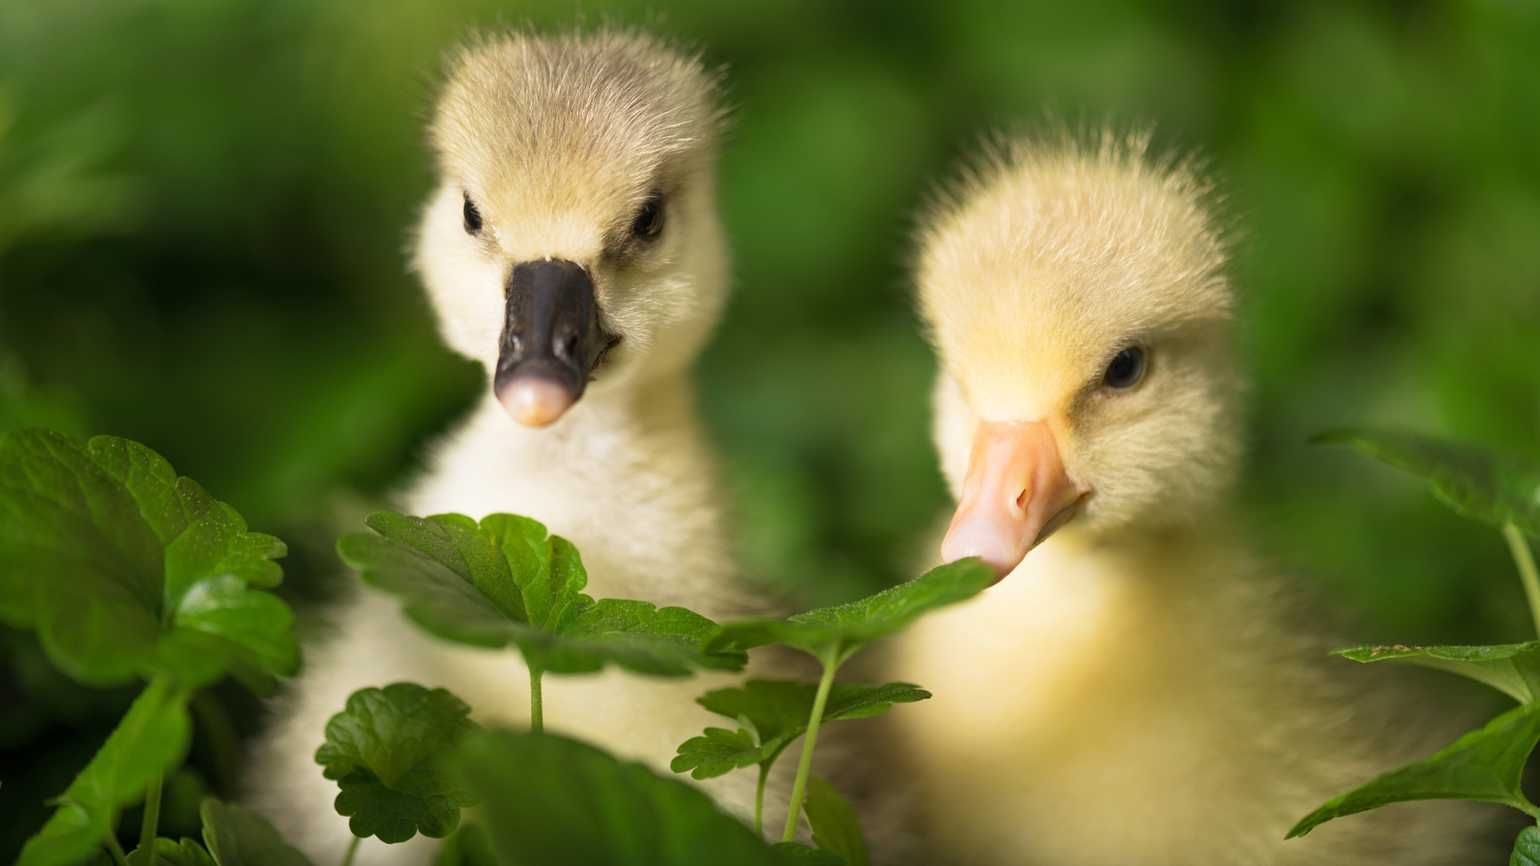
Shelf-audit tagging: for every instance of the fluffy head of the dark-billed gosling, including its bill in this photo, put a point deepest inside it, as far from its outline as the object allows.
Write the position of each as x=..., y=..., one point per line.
x=572, y=238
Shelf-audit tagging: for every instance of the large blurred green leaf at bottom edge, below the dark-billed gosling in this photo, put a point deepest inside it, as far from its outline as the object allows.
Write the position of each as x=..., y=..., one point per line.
x=555, y=802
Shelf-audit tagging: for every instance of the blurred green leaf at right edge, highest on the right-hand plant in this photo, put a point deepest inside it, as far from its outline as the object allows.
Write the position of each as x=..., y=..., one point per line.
x=1475, y=483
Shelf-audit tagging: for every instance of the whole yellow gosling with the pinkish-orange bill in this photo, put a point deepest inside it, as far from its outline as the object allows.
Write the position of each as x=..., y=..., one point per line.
x=1139, y=688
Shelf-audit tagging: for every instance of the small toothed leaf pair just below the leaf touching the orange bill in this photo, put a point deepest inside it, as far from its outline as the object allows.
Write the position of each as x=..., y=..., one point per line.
x=772, y=714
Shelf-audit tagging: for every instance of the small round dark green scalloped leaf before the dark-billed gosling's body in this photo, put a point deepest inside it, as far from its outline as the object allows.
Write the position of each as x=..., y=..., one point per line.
x=387, y=751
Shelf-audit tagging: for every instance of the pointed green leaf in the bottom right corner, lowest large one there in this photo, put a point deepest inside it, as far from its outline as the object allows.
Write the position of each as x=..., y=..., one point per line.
x=1484, y=765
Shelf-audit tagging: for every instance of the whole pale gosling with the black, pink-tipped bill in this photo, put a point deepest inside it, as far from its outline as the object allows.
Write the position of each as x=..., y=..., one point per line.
x=574, y=247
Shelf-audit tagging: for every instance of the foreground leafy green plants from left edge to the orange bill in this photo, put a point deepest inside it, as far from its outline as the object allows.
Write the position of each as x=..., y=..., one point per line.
x=130, y=572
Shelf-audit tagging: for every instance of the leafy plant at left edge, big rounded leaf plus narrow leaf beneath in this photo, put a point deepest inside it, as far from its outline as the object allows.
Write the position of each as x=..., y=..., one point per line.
x=129, y=571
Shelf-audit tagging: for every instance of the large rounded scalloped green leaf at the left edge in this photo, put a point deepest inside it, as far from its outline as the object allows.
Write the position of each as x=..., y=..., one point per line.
x=127, y=571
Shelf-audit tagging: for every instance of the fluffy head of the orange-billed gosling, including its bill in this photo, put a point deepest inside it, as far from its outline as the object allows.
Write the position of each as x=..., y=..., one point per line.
x=1077, y=301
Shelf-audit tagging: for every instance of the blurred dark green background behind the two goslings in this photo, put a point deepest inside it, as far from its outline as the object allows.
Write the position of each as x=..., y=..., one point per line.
x=204, y=207
